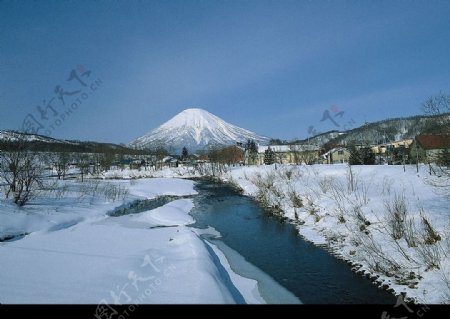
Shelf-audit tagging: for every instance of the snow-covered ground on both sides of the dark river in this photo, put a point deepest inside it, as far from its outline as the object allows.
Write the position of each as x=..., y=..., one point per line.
x=388, y=222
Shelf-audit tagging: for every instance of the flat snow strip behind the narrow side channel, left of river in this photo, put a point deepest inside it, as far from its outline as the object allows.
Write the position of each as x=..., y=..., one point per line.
x=78, y=204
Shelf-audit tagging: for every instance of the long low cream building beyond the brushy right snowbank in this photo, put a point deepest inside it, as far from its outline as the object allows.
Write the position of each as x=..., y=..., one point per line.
x=285, y=154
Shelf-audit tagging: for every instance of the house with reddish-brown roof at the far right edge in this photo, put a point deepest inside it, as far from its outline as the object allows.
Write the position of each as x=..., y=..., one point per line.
x=427, y=148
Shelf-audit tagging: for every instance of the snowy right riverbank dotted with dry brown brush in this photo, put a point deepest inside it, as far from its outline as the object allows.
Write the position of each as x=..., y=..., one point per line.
x=389, y=222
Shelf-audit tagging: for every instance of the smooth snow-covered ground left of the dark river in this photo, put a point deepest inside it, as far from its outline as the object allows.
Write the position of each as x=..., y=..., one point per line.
x=76, y=253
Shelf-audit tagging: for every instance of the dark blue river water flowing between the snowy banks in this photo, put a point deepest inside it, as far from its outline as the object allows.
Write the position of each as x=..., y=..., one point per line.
x=309, y=272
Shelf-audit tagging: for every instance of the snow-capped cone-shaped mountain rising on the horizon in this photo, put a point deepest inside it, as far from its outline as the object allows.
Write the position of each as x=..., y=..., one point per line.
x=195, y=129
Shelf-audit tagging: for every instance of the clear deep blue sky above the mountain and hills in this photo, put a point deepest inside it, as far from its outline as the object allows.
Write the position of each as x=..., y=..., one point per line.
x=273, y=67
